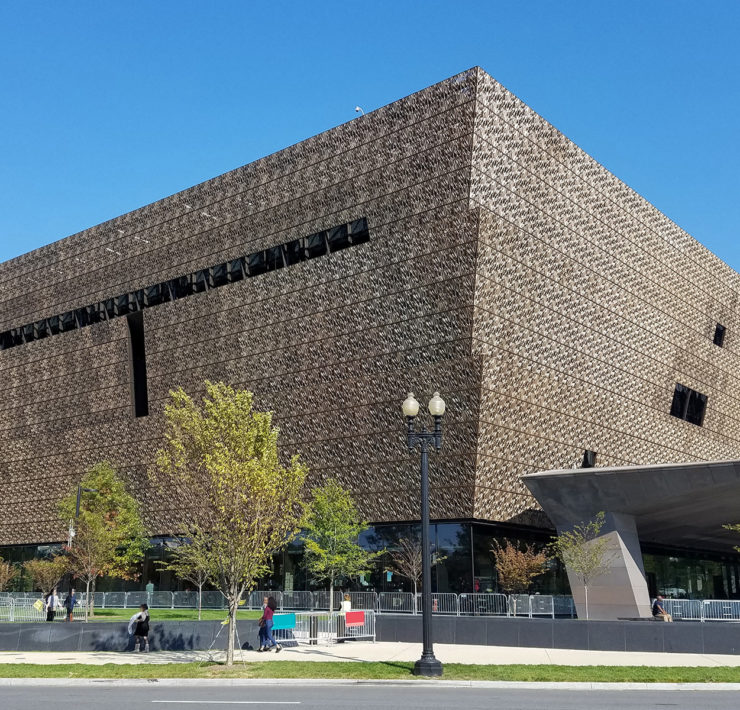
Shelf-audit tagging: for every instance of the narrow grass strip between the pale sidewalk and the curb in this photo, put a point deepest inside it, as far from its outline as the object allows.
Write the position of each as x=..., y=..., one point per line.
x=374, y=671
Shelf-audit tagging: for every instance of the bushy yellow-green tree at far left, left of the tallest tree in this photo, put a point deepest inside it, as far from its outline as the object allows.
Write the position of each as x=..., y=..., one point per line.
x=109, y=534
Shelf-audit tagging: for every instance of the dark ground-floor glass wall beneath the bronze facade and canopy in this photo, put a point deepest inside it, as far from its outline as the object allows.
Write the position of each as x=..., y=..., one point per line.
x=464, y=564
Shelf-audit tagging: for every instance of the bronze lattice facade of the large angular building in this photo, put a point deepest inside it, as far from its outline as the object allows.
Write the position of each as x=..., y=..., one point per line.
x=460, y=243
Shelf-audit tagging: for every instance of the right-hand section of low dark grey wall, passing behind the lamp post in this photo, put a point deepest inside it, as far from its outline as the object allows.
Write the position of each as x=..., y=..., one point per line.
x=678, y=637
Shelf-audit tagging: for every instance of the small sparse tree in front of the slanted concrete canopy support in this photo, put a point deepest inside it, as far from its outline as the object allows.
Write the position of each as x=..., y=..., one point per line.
x=583, y=552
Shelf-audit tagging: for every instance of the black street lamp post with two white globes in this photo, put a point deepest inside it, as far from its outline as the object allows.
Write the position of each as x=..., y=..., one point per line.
x=427, y=665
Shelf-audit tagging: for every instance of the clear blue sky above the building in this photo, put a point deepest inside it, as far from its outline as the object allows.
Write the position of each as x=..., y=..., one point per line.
x=107, y=106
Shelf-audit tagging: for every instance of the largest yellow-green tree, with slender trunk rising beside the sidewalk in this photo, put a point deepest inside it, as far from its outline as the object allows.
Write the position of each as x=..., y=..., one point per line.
x=221, y=456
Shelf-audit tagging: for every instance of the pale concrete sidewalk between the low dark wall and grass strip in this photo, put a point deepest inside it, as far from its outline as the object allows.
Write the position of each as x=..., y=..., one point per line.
x=384, y=652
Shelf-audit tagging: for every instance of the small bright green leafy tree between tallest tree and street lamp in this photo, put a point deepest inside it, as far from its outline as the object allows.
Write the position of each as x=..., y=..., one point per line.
x=333, y=528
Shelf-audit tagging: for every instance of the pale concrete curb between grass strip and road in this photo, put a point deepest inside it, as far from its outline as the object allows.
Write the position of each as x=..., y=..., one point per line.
x=235, y=682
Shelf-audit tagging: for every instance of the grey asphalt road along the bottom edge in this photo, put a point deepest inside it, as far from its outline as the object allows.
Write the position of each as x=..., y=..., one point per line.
x=361, y=697
